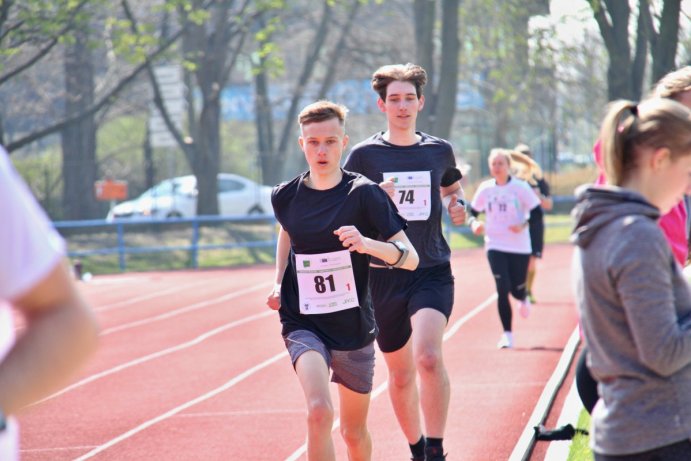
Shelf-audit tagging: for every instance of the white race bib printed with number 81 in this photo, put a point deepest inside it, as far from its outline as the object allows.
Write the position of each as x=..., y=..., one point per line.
x=326, y=282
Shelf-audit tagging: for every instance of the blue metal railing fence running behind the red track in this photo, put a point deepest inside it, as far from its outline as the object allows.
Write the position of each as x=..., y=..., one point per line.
x=111, y=246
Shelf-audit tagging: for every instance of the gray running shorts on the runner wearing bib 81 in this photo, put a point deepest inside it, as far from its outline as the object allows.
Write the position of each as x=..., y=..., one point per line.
x=353, y=369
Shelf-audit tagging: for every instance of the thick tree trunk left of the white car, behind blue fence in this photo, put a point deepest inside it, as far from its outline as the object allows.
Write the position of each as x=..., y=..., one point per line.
x=79, y=170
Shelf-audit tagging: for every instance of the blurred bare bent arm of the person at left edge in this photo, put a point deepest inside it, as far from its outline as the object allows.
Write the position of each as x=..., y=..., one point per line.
x=61, y=332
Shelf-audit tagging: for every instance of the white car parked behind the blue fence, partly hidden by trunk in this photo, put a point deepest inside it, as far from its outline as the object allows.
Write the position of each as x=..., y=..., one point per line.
x=177, y=198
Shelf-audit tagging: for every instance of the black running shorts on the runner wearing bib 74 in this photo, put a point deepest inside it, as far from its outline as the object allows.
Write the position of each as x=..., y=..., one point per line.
x=397, y=294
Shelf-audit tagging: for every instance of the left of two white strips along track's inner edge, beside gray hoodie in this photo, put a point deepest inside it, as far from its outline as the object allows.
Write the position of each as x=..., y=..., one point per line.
x=524, y=446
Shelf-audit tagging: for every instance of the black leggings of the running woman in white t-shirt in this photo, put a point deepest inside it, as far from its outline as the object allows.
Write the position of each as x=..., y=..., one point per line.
x=510, y=271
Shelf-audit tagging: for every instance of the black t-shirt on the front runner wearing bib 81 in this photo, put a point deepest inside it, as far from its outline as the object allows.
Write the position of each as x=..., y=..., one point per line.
x=310, y=216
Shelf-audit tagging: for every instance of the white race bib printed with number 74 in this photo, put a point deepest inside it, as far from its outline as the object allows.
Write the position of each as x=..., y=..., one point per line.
x=412, y=195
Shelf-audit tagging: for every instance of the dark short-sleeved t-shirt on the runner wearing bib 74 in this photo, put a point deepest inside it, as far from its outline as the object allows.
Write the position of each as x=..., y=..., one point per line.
x=374, y=156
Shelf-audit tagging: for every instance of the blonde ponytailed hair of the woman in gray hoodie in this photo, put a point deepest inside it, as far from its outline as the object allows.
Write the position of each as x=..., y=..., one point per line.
x=627, y=128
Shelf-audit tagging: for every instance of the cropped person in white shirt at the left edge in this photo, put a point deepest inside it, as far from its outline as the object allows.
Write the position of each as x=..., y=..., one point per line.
x=61, y=330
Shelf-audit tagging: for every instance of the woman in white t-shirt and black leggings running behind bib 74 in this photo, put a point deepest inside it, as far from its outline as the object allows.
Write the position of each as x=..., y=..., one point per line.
x=506, y=202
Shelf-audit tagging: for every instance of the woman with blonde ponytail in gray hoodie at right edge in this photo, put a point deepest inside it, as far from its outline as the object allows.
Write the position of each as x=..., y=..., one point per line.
x=634, y=303
